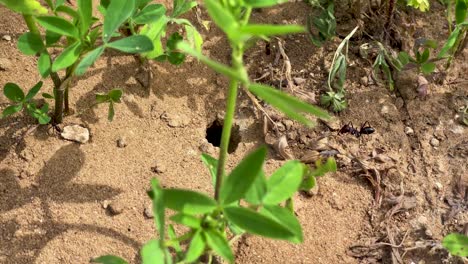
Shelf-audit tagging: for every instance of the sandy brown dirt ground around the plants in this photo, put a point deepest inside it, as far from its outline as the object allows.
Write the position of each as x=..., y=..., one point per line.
x=52, y=191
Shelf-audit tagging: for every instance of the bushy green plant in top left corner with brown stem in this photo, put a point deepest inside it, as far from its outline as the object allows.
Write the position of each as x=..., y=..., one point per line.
x=77, y=35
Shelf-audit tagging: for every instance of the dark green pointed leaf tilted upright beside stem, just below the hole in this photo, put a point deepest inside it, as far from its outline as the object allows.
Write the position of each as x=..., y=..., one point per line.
x=242, y=177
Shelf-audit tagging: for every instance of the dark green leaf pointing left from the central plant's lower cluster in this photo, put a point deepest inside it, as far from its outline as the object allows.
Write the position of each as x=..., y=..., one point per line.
x=188, y=202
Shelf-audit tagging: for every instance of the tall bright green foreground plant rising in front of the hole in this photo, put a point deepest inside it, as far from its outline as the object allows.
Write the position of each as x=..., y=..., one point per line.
x=245, y=201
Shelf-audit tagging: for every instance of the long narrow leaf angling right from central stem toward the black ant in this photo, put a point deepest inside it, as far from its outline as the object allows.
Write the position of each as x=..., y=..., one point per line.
x=288, y=104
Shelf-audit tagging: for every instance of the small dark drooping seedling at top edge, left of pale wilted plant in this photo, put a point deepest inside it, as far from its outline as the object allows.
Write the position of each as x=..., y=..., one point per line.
x=325, y=24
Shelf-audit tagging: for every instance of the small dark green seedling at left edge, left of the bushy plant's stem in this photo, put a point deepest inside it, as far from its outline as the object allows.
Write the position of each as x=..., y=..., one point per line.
x=21, y=101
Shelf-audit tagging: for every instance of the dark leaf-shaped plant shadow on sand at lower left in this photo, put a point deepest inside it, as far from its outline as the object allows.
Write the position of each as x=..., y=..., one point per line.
x=54, y=185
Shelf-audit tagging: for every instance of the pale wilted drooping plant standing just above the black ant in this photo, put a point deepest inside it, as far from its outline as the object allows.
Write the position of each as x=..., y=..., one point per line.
x=335, y=97
